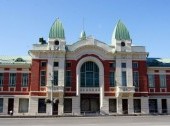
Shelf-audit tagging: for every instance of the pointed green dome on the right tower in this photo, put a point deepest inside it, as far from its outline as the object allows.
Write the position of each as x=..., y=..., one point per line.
x=121, y=32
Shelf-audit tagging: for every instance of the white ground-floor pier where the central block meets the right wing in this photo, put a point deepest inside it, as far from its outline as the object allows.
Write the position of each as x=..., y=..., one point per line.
x=144, y=105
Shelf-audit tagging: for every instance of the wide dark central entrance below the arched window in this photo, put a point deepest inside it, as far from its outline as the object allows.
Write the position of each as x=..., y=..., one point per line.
x=90, y=103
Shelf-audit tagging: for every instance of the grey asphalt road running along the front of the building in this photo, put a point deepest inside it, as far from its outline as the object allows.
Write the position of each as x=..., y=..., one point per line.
x=89, y=121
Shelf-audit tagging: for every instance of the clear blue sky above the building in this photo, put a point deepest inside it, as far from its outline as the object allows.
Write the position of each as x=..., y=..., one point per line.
x=22, y=22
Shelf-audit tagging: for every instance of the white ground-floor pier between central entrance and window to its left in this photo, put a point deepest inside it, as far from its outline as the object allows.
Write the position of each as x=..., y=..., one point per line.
x=76, y=105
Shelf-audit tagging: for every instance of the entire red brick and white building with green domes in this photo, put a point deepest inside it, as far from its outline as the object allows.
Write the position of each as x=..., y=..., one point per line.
x=86, y=77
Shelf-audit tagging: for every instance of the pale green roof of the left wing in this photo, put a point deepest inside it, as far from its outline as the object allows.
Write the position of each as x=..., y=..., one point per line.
x=8, y=60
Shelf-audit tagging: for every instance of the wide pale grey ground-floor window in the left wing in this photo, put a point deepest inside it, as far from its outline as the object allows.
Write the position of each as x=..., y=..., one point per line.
x=23, y=105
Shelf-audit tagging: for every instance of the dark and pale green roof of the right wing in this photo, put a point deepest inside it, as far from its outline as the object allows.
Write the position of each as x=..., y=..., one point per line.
x=158, y=62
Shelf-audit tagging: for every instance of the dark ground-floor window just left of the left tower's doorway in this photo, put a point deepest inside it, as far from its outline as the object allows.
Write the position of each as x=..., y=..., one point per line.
x=41, y=106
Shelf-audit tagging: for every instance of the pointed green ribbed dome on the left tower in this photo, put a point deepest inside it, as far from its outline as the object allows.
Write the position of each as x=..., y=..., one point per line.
x=57, y=30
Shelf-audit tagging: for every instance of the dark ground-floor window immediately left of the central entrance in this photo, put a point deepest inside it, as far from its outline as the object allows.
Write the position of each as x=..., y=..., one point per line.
x=67, y=105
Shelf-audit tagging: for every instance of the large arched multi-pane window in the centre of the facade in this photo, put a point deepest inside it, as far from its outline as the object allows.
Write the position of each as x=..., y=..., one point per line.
x=89, y=75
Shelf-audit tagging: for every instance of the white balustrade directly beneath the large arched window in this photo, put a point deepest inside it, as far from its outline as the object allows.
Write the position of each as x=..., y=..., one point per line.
x=89, y=90
